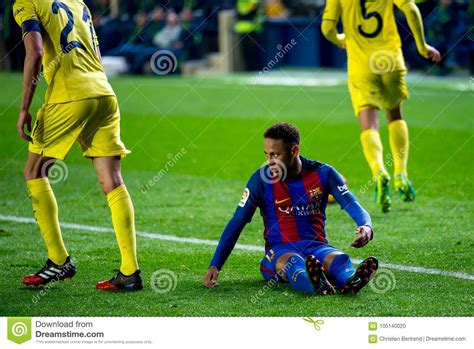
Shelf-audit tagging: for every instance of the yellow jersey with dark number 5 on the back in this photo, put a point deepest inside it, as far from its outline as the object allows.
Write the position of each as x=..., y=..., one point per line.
x=371, y=36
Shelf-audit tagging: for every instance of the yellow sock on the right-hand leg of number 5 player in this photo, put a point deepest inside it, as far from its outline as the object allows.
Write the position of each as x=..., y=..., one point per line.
x=398, y=132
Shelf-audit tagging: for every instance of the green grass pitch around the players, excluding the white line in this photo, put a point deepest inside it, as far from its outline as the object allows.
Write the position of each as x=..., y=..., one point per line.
x=219, y=122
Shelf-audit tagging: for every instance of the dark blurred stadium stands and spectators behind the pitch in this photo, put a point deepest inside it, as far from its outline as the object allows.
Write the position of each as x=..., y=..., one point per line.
x=216, y=36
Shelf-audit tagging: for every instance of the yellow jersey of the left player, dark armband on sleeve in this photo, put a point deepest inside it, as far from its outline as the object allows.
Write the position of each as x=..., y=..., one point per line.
x=71, y=61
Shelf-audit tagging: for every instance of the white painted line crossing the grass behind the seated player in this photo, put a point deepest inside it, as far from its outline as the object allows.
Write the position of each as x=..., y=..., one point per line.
x=164, y=237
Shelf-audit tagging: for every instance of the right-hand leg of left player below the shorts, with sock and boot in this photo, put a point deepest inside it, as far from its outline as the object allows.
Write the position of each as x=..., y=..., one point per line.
x=108, y=170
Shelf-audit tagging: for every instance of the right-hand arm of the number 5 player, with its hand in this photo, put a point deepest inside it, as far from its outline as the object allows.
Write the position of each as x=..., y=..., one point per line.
x=413, y=16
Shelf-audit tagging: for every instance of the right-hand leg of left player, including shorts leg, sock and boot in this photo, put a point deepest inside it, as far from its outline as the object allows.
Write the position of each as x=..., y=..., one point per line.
x=100, y=141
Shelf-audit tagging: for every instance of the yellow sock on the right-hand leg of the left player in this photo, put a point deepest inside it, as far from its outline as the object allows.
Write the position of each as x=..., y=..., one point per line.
x=123, y=219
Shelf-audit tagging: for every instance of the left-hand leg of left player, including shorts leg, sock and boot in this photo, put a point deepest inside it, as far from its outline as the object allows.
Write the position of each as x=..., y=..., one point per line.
x=56, y=129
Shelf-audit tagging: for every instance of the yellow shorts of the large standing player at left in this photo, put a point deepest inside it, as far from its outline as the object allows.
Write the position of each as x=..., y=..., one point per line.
x=94, y=123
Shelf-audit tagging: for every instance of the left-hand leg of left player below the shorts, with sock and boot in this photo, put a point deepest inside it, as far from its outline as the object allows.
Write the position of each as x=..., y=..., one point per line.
x=59, y=265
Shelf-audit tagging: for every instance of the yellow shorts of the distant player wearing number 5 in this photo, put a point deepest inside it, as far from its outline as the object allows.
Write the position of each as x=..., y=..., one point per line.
x=376, y=91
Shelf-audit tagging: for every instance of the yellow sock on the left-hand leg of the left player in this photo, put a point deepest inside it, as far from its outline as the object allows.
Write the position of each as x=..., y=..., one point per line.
x=45, y=209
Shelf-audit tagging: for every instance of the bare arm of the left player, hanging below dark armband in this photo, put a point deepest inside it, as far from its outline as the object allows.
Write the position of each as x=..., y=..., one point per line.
x=34, y=55
